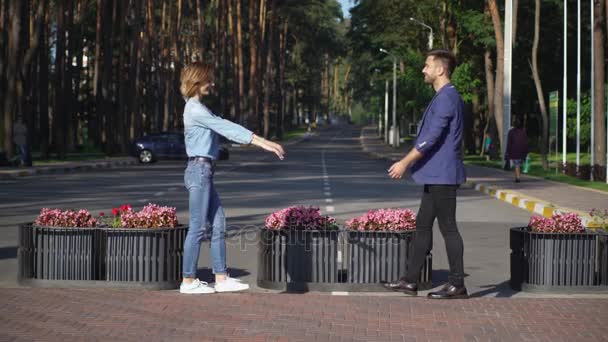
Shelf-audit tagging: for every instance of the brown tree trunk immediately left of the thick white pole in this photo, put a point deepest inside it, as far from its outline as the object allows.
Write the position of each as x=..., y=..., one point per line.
x=499, y=85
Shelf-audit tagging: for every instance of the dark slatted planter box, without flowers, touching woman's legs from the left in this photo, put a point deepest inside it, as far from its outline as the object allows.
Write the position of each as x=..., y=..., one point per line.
x=152, y=256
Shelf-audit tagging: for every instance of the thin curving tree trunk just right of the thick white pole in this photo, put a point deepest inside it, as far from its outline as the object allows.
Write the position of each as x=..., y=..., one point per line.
x=539, y=88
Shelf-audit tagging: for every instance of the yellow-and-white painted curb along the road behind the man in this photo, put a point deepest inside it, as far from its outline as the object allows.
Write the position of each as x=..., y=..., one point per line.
x=516, y=199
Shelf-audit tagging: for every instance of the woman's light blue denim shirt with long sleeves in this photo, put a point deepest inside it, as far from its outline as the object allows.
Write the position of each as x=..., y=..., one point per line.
x=201, y=129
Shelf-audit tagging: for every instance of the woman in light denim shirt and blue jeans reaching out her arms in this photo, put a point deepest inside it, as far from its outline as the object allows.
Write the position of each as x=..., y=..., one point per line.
x=202, y=129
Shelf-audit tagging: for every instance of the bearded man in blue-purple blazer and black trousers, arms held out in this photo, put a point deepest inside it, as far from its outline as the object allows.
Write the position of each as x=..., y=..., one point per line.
x=436, y=162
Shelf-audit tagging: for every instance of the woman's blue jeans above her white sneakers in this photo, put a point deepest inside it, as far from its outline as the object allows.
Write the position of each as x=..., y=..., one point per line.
x=205, y=212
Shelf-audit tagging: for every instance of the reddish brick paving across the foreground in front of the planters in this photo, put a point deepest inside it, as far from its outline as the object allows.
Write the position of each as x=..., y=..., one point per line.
x=123, y=315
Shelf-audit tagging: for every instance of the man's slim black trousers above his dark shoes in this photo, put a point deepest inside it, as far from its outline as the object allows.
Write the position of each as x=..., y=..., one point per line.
x=438, y=201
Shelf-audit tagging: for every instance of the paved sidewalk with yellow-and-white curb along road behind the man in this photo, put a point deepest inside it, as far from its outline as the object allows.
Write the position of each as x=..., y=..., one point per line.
x=534, y=194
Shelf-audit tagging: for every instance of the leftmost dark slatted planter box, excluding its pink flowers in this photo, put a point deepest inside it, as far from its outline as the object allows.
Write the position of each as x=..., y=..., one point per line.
x=55, y=253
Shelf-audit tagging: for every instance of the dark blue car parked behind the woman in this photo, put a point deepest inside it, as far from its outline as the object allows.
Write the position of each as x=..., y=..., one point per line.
x=153, y=147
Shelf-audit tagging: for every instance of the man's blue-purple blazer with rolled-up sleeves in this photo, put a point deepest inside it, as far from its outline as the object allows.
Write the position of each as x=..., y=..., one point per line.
x=440, y=140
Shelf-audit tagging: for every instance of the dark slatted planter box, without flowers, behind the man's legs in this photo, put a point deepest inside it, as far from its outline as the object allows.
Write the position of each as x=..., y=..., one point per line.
x=376, y=257
